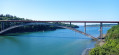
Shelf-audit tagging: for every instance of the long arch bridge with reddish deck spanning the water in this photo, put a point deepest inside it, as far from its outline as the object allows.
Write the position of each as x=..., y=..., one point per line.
x=51, y=23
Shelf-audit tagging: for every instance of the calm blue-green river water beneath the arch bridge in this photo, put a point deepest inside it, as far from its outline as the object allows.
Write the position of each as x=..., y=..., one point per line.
x=57, y=42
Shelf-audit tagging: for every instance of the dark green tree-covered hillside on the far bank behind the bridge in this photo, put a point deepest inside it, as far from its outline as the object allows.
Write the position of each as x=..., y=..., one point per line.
x=31, y=28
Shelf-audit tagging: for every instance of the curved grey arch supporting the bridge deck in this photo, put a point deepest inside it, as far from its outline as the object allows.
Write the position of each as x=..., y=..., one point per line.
x=12, y=27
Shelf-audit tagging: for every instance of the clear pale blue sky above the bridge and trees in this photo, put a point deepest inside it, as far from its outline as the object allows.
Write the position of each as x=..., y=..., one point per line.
x=66, y=10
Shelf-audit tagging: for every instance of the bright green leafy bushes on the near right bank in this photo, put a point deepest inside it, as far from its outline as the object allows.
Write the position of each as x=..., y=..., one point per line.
x=111, y=47
